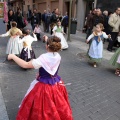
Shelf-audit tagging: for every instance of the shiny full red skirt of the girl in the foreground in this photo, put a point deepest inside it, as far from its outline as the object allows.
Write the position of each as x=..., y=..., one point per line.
x=46, y=102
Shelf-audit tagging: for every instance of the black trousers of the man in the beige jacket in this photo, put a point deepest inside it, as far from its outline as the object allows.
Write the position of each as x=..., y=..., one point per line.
x=114, y=41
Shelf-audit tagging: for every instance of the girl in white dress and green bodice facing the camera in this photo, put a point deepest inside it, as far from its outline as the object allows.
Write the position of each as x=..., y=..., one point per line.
x=58, y=31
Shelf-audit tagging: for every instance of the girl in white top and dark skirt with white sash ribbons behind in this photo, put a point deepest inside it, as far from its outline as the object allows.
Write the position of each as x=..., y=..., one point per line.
x=27, y=52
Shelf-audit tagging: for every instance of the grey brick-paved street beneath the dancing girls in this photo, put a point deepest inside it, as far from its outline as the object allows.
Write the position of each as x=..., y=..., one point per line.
x=94, y=93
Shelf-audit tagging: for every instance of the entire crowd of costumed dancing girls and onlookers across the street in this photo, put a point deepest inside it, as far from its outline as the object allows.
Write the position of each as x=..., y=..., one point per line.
x=47, y=97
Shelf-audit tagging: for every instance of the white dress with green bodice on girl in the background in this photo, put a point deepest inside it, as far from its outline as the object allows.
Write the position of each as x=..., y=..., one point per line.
x=58, y=32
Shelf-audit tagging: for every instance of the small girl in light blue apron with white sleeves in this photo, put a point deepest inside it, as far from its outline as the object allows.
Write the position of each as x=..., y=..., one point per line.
x=96, y=46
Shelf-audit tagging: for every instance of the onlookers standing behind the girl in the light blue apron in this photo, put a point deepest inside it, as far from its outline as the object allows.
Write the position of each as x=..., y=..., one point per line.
x=109, y=20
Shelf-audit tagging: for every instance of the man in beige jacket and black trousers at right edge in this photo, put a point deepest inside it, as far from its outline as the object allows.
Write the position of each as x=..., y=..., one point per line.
x=114, y=22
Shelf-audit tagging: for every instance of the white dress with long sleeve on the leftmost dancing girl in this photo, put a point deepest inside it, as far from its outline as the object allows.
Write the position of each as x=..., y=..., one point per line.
x=13, y=47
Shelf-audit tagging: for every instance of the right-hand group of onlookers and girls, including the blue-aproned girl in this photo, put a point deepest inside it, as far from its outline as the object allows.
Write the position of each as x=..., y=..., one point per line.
x=100, y=27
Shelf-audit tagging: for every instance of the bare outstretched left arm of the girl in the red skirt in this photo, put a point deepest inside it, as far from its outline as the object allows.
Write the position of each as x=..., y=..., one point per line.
x=20, y=62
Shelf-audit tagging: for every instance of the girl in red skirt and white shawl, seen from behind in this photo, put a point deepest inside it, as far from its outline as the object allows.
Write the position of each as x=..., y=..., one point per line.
x=47, y=98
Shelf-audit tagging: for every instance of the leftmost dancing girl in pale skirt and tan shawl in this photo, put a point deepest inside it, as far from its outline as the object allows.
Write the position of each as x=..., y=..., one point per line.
x=12, y=46
